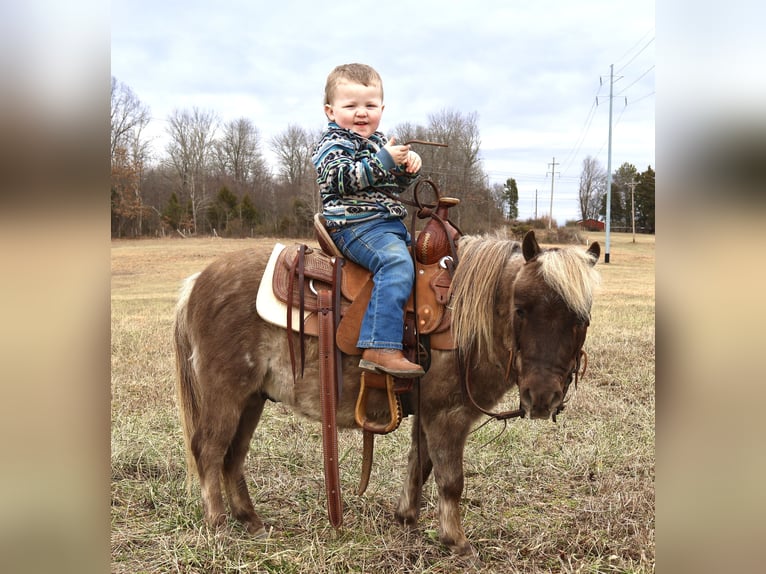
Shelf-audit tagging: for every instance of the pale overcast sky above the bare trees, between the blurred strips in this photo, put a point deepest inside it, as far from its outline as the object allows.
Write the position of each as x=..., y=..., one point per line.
x=536, y=73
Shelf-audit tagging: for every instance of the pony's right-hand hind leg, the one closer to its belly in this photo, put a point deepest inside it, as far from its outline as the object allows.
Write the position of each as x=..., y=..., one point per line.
x=240, y=503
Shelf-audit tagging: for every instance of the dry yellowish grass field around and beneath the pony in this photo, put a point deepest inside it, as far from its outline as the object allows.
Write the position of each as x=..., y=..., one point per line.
x=576, y=496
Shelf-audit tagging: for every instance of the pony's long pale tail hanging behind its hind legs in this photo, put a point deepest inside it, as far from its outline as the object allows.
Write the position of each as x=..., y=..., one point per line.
x=186, y=378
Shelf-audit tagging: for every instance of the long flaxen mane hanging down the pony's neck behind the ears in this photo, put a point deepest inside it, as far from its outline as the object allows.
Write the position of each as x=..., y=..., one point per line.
x=482, y=260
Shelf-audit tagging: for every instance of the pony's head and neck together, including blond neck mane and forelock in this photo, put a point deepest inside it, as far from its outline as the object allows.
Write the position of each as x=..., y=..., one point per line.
x=526, y=314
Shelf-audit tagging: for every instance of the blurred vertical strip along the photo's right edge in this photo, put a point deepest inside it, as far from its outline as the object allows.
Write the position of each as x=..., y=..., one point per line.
x=711, y=163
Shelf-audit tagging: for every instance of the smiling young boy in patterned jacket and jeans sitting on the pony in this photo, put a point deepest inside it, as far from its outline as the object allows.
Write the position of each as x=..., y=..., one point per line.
x=355, y=163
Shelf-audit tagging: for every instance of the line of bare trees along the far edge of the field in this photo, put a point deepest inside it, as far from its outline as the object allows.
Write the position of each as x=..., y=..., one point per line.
x=213, y=179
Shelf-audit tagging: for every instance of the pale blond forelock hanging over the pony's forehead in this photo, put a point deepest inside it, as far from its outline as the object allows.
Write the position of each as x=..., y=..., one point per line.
x=570, y=273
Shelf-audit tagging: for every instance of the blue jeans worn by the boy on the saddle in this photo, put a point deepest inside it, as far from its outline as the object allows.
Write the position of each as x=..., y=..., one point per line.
x=381, y=246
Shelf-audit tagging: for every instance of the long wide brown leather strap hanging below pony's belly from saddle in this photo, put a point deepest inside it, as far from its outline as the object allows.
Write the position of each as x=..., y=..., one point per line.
x=329, y=403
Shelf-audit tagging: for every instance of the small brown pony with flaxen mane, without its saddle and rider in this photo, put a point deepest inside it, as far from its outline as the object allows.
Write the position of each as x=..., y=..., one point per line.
x=520, y=315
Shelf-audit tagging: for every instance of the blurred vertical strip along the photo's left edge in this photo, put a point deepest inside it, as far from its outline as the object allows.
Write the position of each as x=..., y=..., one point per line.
x=54, y=287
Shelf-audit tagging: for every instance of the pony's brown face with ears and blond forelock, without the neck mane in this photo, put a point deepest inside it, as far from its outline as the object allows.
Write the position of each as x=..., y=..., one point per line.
x=550, y=315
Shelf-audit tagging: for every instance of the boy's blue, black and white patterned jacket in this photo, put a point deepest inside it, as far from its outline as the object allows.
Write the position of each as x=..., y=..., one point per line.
x=351, y=172
